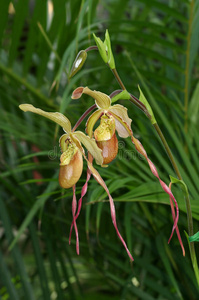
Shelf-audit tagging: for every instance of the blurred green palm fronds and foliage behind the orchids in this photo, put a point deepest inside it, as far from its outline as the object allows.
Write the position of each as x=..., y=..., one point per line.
x=155, y=44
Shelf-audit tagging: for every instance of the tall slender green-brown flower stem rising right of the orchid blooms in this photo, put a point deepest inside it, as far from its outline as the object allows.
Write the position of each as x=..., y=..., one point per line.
x=170, y=155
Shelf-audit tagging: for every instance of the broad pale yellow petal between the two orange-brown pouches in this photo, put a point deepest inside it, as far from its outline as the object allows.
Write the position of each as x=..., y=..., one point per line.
x=90, y=145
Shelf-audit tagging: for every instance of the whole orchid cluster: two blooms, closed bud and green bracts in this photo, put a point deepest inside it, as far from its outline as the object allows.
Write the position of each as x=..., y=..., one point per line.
x=101, y=142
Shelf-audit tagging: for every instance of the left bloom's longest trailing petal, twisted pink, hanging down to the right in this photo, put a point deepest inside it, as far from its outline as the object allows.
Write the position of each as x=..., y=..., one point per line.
x=99, y=179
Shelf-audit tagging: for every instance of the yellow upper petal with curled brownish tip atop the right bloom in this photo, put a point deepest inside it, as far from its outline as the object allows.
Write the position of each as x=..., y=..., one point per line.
x=102, y=100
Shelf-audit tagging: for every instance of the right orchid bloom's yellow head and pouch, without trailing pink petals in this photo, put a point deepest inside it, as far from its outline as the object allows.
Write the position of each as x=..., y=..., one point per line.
x=112, y=118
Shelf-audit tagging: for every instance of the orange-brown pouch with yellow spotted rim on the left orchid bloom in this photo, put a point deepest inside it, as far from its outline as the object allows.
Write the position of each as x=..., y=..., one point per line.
x=71, y=163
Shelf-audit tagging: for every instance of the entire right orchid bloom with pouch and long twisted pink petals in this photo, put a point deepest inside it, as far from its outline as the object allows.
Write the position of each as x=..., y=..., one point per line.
x=116, y=118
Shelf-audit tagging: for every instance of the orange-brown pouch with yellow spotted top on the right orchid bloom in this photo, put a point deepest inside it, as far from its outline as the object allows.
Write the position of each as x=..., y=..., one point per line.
x=106, y=138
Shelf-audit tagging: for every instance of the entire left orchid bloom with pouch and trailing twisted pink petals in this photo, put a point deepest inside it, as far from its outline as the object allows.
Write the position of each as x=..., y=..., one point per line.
x=71, y=165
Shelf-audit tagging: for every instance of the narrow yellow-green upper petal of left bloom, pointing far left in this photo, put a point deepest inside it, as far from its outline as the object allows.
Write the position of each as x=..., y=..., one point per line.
x=56, y=117
